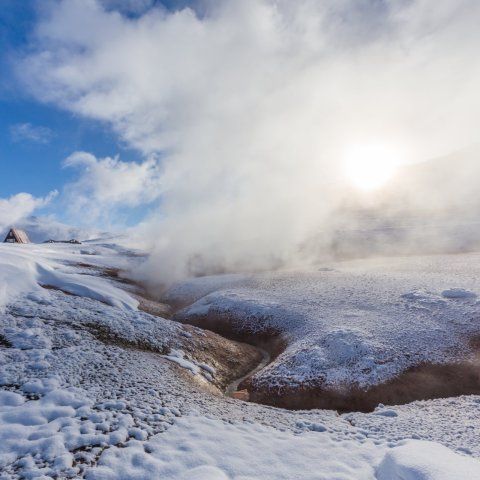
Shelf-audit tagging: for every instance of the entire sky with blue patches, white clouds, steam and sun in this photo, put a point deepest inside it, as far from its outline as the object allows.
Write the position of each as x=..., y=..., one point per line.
x=229, y=132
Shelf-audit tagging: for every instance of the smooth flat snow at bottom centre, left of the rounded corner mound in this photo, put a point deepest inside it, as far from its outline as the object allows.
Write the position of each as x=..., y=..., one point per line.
x=206, y=449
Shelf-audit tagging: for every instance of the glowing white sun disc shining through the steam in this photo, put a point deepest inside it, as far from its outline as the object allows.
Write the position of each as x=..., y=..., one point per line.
x=369, y=167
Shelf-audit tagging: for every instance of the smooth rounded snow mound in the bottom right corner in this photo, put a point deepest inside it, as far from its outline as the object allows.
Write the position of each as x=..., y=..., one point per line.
x=426, y=461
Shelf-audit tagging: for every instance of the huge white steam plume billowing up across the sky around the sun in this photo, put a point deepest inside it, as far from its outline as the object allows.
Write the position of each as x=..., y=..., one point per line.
x=243, y=112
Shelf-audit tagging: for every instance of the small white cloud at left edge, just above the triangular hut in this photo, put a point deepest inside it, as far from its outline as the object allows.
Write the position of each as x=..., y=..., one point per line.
x=18, y=207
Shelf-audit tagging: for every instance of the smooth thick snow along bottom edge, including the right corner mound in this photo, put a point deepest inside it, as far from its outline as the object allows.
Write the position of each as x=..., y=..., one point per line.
x=197, y=447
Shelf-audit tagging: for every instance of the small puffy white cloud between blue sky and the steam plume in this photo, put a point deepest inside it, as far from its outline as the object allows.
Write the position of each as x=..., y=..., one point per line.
x=106, y=184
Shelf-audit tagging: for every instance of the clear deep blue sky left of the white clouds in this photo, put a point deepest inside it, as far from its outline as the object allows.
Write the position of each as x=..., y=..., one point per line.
x=36, y=137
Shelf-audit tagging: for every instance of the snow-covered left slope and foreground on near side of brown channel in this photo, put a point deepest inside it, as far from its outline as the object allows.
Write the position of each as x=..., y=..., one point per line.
x=93, y=388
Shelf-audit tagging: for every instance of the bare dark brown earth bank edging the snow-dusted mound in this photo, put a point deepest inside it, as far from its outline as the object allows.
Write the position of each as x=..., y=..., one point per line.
x=422, y=382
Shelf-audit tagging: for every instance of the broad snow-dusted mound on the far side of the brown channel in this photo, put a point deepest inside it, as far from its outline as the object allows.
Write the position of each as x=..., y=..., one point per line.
x=357, y=322
